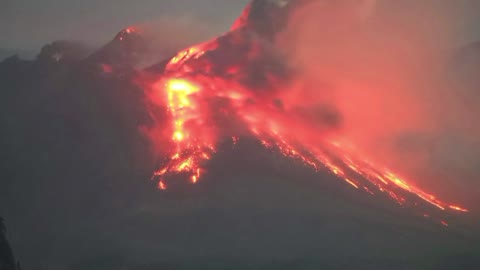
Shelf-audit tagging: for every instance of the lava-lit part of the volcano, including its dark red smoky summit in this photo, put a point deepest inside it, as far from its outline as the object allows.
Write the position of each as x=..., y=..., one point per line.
x=239, y=85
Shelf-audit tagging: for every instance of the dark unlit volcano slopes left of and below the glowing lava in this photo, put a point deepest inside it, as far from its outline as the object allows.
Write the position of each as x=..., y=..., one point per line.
x=75, y=189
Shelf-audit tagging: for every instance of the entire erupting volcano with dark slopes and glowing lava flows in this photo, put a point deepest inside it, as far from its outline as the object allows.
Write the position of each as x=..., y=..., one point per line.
x=246, y=171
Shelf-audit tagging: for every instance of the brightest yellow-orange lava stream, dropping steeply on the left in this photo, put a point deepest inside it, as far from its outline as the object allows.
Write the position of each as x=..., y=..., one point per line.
x=191, y=146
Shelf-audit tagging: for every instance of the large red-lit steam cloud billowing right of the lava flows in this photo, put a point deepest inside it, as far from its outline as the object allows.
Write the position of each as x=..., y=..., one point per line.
x=387, y=67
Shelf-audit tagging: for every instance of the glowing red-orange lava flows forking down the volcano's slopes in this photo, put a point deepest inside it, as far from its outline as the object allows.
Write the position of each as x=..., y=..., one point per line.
x=198, y=92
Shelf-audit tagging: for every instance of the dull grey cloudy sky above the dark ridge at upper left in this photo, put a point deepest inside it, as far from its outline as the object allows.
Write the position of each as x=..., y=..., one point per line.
x=29, y=24
